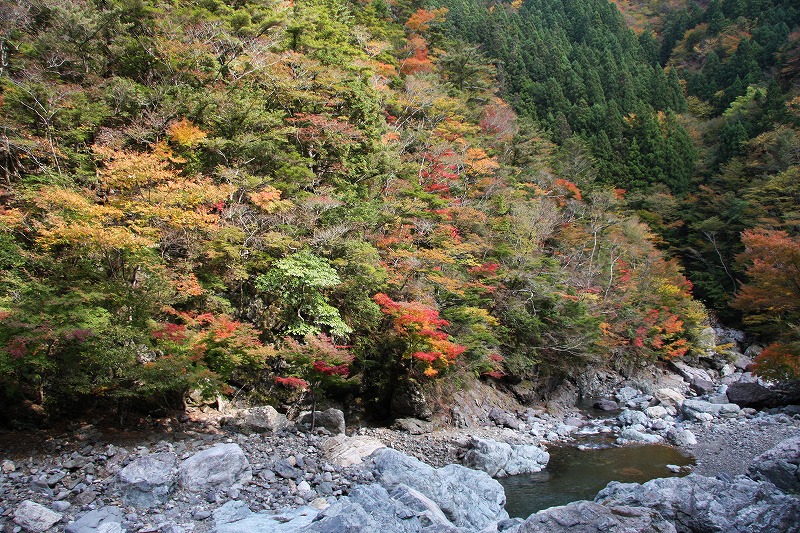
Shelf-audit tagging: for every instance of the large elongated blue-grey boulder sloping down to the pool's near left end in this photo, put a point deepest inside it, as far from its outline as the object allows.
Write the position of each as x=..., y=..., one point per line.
x=468, y=498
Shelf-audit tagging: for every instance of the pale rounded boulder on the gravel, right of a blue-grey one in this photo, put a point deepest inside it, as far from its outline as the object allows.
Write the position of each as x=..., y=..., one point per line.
x=217, y=468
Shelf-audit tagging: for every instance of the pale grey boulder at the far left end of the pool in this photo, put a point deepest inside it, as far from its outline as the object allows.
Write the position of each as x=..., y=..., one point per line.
x=499, y=459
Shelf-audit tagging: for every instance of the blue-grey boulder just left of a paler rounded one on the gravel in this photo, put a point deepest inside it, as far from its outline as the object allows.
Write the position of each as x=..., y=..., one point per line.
x=149, y=480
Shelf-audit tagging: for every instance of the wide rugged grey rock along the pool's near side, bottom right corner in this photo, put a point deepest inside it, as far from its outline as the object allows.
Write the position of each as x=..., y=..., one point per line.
x=702, y=504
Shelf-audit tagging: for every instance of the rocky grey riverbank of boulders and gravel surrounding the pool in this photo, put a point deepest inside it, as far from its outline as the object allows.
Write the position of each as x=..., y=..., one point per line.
x=253, y=470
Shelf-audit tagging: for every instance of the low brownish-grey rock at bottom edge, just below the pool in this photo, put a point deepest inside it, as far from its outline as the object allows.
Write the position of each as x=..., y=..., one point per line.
x=590, y=517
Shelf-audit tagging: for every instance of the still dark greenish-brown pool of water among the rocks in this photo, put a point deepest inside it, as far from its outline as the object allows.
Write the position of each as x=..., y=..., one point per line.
x=575, y=474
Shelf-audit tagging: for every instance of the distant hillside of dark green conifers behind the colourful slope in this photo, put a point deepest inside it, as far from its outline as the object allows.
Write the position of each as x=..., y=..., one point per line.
x=693, y=109
